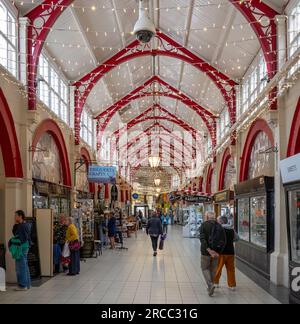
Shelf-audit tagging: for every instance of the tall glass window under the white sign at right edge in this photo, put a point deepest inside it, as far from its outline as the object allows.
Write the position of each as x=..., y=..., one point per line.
x=294, y=215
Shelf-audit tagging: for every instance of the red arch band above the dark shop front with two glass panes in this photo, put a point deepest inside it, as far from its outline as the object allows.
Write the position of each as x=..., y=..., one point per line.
x=260, y=125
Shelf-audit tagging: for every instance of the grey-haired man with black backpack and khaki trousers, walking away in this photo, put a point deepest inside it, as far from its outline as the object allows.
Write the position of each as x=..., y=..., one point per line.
x=213, y=241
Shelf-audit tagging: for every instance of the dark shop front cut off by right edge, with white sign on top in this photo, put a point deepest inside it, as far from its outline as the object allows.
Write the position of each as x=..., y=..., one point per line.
x=290, y=170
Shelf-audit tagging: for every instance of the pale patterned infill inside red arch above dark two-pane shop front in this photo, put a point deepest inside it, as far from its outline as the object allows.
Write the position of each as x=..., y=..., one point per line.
x=261, y=163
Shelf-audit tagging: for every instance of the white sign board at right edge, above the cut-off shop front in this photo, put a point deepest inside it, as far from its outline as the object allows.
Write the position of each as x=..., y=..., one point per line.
x=290, y=169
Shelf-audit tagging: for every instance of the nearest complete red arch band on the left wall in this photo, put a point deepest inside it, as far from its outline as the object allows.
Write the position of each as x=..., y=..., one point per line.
x=49, y=126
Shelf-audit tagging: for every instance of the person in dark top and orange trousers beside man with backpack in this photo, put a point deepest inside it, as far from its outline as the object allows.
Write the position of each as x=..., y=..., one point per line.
x=227, y=257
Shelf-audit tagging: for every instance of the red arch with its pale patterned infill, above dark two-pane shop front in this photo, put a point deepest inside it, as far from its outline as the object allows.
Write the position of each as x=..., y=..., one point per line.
x=256, y=160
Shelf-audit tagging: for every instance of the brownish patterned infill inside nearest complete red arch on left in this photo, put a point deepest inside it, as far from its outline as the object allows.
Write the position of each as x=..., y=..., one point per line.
x=46, y=162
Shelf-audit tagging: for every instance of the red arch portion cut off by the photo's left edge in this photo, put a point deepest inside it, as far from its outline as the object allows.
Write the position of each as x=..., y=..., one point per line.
x=9, y=142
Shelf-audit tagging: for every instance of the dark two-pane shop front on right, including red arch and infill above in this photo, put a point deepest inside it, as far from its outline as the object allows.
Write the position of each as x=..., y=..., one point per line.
x=254, y=199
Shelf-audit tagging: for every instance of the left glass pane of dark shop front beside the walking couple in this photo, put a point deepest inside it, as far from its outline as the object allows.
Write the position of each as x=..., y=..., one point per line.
x=244, y=219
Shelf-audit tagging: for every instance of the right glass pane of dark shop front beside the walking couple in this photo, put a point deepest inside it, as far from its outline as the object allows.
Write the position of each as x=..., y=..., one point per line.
x=259, y=221
